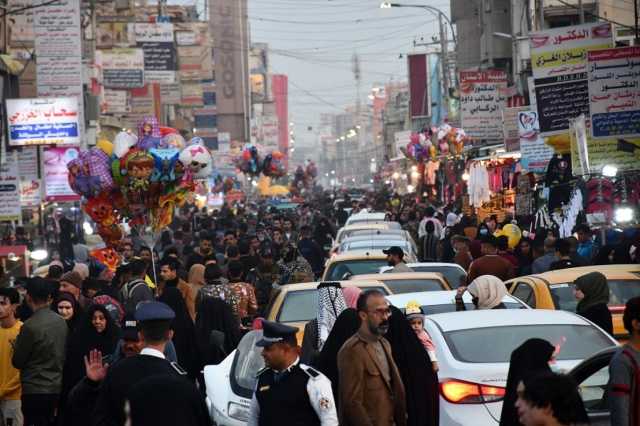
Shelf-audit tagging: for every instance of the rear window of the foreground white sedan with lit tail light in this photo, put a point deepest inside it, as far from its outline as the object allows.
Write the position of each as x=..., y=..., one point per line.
x=495, y=344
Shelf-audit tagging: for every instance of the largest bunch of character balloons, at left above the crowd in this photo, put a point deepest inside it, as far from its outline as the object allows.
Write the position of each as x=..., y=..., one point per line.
x=138, y=180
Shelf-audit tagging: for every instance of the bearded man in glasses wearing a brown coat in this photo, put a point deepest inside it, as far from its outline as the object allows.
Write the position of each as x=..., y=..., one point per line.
x=371, y=390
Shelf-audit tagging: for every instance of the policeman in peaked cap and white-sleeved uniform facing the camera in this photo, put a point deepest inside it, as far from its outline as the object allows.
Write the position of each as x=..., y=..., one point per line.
x=289, y=392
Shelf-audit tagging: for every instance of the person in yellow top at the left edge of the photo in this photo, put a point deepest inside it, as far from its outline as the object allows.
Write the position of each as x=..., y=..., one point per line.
x=10, y=388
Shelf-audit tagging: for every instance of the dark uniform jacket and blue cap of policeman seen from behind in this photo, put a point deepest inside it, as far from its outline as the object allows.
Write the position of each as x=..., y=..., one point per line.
x=124, y=375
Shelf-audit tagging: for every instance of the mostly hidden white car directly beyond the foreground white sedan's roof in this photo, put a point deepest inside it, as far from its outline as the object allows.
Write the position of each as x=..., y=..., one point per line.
x=437, y=302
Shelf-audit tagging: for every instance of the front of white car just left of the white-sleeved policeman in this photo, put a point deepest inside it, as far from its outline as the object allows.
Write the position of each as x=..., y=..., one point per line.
x=230, y=384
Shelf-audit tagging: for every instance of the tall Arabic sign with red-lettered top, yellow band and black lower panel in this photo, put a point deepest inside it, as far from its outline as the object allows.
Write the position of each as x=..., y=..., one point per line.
x=559, y=64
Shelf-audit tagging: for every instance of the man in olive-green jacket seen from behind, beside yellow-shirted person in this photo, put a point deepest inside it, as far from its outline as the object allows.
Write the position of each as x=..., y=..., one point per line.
x=39, y=353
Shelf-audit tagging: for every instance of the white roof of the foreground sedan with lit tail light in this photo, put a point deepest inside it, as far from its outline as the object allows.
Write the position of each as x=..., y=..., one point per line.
x=453, y=321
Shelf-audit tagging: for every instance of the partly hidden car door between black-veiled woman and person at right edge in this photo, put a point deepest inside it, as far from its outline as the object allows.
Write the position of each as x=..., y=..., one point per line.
x=592, y=376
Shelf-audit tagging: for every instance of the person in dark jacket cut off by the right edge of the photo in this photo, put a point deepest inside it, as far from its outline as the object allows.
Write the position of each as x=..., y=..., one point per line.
x=624, y=372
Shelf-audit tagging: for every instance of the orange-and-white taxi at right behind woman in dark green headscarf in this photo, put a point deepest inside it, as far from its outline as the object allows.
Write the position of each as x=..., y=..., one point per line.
x=554, y=290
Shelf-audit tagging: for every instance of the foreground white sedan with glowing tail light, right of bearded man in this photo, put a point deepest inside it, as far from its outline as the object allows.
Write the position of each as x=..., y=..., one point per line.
x=474, y=348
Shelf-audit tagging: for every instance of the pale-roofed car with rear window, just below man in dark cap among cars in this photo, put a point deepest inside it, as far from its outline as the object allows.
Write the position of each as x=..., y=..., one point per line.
x=407, y=282
